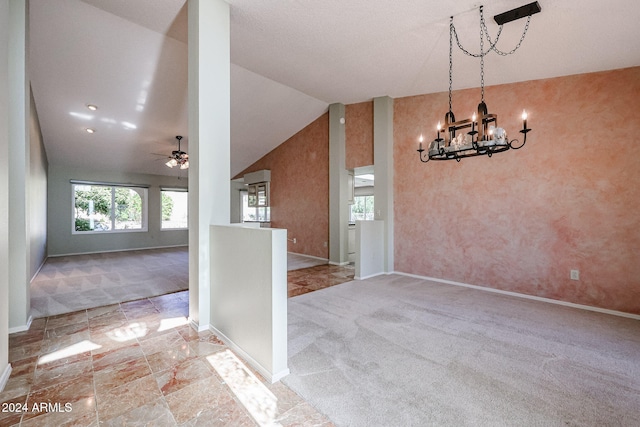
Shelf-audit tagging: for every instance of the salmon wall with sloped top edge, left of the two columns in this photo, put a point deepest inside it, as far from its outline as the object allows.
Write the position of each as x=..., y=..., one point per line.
x=300, y=187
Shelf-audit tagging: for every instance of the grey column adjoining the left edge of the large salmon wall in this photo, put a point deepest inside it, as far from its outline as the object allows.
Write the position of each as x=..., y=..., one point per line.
x=383, y=163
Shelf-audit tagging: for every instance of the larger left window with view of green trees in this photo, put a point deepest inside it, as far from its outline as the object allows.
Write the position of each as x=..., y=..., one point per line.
x=108, y=208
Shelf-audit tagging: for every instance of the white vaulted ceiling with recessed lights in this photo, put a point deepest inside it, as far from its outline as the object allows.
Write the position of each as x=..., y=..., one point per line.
x=290, y=60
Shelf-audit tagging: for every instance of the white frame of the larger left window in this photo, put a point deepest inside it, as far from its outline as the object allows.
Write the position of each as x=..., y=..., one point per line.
x=112, y=186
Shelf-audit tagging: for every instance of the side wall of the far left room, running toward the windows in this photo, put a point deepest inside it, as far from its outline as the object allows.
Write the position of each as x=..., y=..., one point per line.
x=37, y=197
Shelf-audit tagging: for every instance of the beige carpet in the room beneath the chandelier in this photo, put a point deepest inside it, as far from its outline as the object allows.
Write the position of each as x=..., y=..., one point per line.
x=400, y=351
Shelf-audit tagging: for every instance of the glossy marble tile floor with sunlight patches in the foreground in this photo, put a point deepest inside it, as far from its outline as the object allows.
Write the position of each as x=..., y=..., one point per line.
x=138, y=363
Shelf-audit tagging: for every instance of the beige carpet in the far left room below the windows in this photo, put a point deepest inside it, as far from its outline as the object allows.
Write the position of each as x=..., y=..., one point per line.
x=71, y=283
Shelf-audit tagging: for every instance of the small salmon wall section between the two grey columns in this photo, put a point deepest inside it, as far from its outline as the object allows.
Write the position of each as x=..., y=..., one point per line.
x=358, y=134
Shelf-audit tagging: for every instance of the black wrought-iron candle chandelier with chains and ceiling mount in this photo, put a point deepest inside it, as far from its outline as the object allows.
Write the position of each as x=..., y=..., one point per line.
x=479, y=135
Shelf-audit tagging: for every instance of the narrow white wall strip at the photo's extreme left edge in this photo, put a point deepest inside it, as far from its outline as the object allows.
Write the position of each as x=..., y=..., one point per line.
x=5, y=368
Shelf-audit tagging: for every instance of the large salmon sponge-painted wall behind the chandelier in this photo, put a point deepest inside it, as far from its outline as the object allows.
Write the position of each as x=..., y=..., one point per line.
x=521, y=220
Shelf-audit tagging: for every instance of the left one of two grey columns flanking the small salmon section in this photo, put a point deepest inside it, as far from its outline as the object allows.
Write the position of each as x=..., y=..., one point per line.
x=338, y=187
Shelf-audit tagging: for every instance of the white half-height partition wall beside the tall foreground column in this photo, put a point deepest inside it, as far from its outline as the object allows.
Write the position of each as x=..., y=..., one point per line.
x=249, y=295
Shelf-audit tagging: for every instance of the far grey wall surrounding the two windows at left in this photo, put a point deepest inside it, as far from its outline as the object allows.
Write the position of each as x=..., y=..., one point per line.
x=61, y=241
